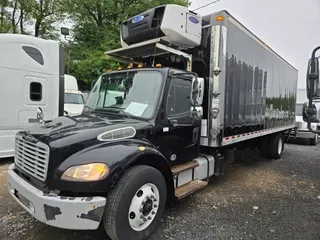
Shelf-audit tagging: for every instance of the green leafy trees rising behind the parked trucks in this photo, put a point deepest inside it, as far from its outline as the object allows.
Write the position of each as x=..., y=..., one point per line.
x=95, y=26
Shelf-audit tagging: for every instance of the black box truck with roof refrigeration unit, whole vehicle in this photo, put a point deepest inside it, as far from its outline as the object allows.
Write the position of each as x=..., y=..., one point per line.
x=195, y=89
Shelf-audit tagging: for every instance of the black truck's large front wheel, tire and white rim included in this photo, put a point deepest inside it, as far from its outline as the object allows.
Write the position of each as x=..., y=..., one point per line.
x=135, y=206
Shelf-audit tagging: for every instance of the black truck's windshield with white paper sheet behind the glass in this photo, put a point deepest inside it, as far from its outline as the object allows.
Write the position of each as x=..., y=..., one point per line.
x=134, y=93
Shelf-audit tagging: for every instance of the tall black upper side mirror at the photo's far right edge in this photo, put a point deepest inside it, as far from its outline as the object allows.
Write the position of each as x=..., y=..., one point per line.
x=313, y=73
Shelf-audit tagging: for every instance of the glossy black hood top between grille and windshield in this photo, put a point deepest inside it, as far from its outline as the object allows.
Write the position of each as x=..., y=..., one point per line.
x=81, y=129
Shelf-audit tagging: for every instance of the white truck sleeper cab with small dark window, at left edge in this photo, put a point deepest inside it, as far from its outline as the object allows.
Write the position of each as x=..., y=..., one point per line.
x=31, y=76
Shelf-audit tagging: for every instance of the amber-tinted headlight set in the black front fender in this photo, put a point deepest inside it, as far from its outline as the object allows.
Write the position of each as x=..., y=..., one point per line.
x=86, y=173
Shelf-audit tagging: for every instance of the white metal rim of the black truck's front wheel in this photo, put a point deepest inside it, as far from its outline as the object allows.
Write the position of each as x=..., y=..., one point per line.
x=144, y=207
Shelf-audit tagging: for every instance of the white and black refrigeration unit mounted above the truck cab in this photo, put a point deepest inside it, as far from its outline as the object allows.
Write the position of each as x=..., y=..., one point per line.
x=171, y=23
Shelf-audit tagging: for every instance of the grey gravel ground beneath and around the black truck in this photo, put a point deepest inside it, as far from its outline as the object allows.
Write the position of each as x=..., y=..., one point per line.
x=258, y=200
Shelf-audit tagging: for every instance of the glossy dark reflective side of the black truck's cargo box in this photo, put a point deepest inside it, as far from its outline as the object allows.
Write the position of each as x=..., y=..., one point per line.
x=256, y=87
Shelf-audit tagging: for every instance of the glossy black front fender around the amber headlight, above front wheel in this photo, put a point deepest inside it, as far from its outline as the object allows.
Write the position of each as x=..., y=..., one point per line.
x=118, y=155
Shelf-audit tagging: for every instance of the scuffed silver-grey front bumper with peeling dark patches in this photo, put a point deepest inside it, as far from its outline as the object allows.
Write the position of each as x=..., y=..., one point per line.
x=81, y=213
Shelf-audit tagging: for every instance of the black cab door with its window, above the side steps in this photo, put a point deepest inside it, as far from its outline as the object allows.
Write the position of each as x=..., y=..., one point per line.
x=181, y=131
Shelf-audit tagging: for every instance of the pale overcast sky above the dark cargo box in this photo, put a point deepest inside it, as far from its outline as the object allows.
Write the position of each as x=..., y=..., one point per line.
x=290, y=27
